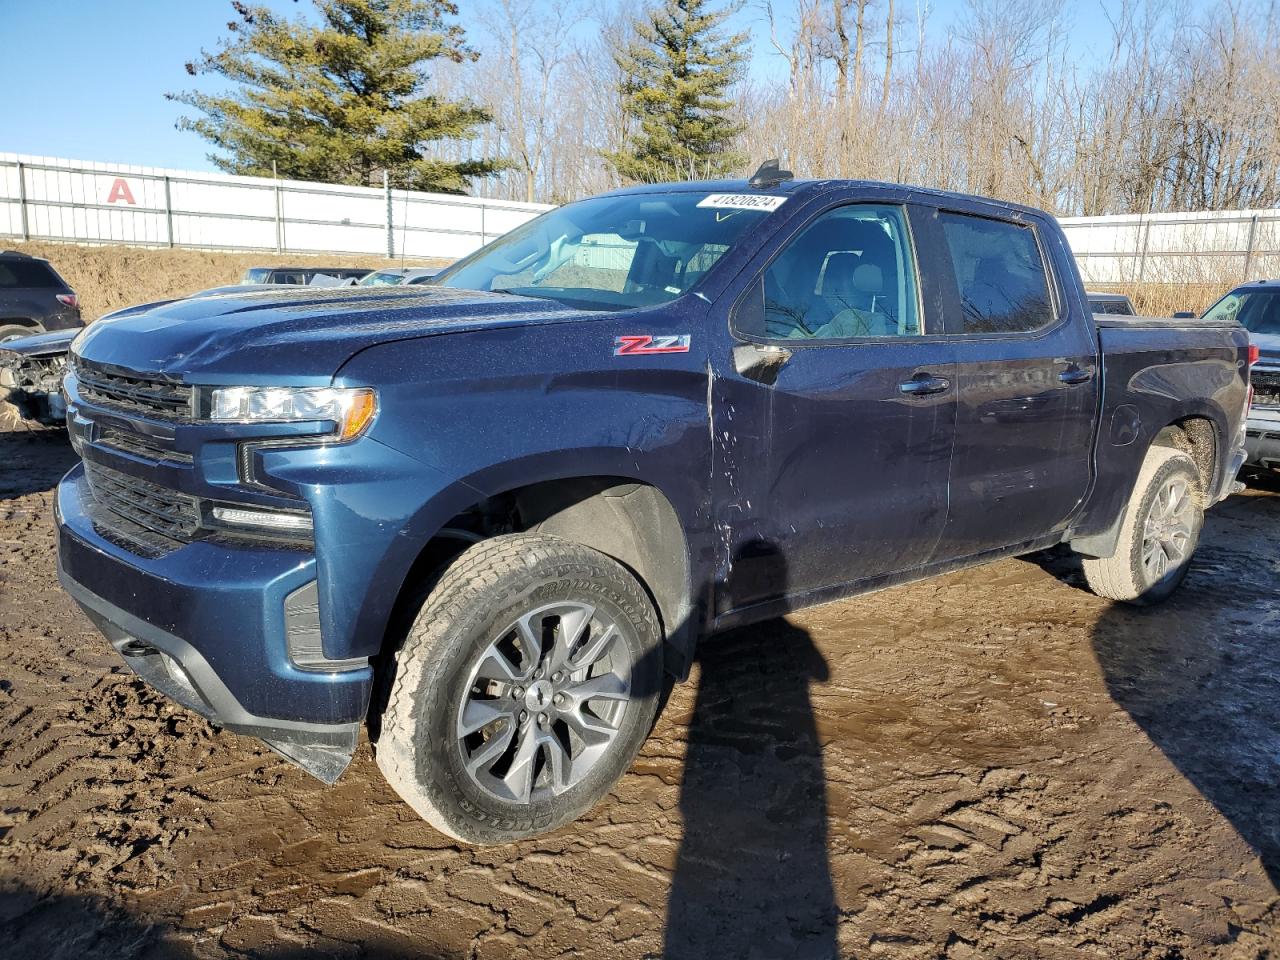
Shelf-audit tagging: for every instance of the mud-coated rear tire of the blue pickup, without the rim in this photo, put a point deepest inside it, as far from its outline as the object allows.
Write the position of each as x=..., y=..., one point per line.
x=1124, y=577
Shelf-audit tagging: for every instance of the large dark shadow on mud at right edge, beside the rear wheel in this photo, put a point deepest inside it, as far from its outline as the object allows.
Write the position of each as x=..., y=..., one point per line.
x=1201, y=674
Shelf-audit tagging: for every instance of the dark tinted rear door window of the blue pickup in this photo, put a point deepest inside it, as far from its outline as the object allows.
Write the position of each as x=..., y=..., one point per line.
x=1000, y=275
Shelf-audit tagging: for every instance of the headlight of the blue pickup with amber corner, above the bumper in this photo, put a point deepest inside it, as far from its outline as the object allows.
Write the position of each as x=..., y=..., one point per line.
x=350, y=409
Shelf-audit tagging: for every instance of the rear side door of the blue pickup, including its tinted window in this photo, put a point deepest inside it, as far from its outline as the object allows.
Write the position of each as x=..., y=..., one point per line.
x=1027, y=377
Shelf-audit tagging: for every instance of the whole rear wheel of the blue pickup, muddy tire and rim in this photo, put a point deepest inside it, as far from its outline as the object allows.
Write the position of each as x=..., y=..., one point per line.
x=1159, y=534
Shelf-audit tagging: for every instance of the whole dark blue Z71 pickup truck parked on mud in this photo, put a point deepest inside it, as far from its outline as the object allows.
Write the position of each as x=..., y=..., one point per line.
x=490, y=519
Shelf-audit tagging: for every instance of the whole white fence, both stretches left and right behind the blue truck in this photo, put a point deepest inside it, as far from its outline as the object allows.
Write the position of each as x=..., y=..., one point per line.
x=94, y=203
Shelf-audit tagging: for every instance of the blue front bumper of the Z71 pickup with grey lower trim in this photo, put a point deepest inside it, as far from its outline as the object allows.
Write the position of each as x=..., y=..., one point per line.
x=208, y=627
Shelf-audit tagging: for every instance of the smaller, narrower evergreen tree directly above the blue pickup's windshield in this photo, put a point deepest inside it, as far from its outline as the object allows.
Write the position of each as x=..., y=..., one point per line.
x=676, y=75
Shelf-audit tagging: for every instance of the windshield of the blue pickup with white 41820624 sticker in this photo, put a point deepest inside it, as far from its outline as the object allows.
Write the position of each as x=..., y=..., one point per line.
x=615, y=253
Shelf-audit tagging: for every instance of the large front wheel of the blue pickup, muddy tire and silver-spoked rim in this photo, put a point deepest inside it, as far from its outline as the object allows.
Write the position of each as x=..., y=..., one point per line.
x=527, y=687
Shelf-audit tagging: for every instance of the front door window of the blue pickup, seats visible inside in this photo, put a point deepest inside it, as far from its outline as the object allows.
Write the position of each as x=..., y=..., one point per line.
x=848, y=275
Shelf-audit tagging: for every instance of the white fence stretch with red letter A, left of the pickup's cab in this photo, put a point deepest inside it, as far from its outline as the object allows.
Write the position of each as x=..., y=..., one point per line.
x=93, y=203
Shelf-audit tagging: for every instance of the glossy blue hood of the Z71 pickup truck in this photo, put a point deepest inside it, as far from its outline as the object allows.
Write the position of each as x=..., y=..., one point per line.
x=298, y=336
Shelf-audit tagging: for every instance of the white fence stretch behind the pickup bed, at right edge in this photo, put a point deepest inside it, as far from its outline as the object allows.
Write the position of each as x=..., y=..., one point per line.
x=1228, y=246
